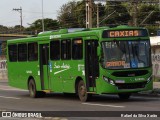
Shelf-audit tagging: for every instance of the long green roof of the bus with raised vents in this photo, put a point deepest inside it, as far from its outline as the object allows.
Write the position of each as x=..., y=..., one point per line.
x=72, y=31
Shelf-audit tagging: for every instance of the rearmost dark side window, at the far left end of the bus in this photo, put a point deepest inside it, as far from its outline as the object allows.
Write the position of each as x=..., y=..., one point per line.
x=12, y=49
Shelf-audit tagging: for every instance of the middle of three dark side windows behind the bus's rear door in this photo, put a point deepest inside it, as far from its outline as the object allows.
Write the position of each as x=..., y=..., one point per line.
x=22, y=52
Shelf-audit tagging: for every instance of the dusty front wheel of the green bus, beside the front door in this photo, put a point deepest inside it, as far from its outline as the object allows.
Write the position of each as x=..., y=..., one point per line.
x=82, y=92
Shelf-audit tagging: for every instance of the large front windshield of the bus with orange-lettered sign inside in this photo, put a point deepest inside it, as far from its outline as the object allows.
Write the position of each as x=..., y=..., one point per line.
x=125, y=54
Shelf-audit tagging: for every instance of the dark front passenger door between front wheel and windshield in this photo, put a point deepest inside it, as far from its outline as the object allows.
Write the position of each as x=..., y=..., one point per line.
x=91, y=64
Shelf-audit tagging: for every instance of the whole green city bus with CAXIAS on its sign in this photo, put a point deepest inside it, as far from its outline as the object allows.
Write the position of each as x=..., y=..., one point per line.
x=105, y=60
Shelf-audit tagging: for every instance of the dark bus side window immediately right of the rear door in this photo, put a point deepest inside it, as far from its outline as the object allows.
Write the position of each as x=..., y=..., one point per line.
x=55, y=50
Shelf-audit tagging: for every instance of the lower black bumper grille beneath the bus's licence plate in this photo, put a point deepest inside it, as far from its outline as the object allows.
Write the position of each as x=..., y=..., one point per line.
x=131, y=85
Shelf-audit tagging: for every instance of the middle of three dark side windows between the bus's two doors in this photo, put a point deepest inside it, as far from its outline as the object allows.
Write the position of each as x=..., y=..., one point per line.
x=66, y=49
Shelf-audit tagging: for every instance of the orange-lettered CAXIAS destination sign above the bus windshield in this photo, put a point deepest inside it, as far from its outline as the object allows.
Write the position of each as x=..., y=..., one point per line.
x=124, y=33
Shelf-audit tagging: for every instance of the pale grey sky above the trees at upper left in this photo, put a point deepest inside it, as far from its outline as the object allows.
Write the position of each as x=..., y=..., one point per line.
x=31, y=11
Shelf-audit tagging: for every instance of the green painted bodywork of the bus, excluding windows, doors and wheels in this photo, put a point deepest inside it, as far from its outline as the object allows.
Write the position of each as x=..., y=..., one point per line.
x=61, y=75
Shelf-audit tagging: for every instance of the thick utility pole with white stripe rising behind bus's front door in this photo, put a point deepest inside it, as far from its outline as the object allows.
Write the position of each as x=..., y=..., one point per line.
x=88, y=13
